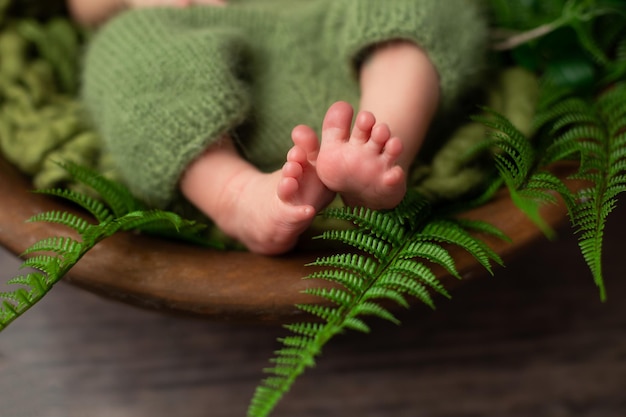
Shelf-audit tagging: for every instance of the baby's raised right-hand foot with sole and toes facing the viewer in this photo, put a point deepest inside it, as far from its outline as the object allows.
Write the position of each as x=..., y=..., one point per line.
x=360, y=164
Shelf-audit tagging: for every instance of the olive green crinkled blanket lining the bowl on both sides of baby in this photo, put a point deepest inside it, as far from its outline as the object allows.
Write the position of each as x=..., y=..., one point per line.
x=42, y=123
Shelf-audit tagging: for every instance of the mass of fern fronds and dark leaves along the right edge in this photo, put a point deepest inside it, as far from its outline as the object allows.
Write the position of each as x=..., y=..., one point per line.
x=573, y=120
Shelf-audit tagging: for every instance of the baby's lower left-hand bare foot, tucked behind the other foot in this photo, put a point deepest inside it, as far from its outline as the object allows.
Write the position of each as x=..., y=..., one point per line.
x=269, y=212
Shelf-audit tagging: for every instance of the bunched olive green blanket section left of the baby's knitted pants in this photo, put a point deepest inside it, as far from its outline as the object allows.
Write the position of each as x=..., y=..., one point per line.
x=41, y=121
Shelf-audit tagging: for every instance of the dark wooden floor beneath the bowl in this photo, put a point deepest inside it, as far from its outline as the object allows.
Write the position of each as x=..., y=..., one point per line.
x=534, y=341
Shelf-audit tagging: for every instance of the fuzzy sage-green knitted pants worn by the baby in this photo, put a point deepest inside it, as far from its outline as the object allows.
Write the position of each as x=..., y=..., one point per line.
x=163, y=84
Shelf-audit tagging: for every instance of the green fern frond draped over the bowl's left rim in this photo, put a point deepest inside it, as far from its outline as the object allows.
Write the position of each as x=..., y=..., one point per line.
x=52, y=258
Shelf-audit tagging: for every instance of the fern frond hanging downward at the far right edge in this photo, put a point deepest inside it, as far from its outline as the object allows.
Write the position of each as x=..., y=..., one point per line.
x=594, y=130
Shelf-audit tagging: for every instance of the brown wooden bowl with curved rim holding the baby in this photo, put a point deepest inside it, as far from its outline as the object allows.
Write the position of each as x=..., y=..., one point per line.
x=221, y=285
